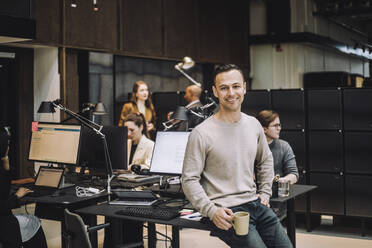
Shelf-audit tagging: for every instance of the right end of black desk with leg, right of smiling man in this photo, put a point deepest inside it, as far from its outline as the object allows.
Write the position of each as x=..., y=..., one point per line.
x=294, y=190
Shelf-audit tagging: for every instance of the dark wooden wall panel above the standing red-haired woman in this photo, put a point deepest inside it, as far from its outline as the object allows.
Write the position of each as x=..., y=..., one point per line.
x=141, y=27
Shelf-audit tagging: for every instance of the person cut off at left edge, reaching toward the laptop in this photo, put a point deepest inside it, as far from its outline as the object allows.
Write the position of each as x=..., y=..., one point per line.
x=15, y=230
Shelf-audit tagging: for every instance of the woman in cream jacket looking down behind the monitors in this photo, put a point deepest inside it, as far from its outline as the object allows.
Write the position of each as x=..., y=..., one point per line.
x=142, y=146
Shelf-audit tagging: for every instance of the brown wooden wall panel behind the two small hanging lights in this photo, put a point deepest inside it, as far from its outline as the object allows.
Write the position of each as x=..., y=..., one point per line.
x=84, y=27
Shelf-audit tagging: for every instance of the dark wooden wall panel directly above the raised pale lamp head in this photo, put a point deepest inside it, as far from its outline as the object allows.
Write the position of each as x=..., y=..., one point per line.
x=180, y=27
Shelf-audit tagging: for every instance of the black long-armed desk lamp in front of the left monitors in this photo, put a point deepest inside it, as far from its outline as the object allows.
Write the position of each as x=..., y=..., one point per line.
x=50, y=106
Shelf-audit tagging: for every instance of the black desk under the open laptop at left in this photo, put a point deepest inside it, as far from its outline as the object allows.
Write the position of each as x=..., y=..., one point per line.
x=52, y=208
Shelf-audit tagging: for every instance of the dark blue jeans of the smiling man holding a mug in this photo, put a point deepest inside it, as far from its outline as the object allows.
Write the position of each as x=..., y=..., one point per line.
x=265, y=229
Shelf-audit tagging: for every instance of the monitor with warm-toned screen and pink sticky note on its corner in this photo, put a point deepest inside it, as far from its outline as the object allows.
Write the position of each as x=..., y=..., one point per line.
x=55, y=143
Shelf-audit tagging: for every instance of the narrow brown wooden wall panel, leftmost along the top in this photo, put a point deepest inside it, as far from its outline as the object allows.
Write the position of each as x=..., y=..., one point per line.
x=48, y=22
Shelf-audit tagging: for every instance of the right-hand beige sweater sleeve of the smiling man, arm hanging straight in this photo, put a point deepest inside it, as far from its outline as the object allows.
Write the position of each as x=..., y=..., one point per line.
x=265, y=167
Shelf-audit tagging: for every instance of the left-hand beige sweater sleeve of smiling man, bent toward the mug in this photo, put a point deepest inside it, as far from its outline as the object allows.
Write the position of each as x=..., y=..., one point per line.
x=193, y=167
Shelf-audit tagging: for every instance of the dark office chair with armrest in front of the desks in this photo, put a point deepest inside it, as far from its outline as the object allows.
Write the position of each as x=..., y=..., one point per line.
x=77, y=233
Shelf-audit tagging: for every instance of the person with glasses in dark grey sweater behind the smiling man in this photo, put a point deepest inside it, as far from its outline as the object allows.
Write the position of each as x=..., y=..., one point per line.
x=284, y=159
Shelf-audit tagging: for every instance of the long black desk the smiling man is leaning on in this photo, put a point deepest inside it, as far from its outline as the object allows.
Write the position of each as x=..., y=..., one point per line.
x=109, y=211
